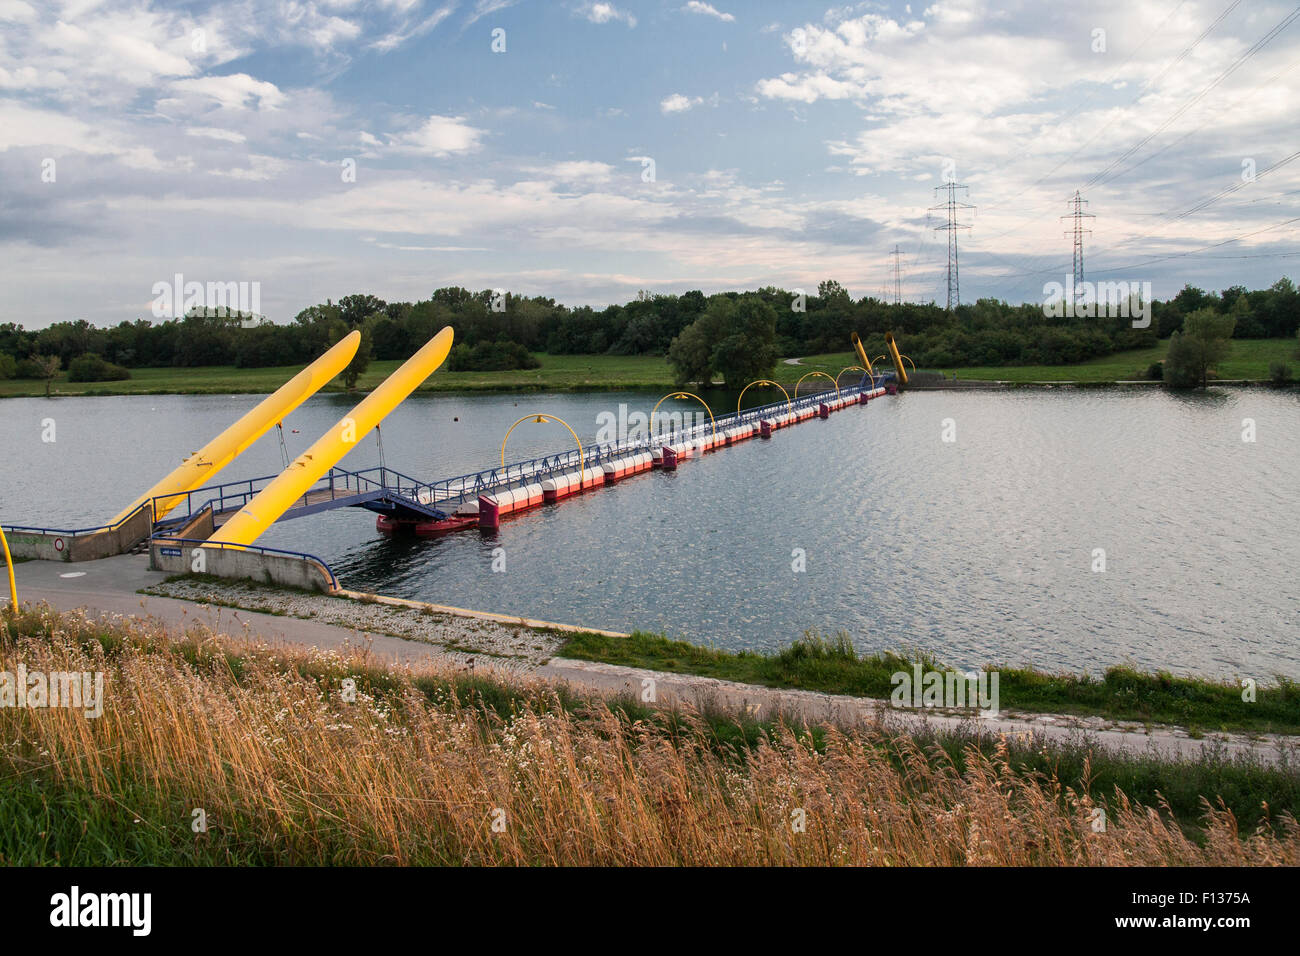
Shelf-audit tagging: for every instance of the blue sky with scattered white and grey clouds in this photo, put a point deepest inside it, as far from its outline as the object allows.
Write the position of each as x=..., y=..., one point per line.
x=586, y=152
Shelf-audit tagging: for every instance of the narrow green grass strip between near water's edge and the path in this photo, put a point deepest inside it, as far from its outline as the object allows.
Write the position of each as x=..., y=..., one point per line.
x=814, y=664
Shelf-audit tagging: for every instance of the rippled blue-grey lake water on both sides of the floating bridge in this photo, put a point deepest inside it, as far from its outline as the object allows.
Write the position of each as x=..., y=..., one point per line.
x=981, y=551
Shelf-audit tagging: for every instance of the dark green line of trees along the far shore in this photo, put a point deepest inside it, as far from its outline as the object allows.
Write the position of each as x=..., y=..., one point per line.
x=500, y=331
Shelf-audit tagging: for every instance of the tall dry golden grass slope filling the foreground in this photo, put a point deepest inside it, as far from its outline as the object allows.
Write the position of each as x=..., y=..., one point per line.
x=421, y=764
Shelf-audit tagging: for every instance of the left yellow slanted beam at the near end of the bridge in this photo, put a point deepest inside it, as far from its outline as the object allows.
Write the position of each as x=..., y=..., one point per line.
x=198, y=469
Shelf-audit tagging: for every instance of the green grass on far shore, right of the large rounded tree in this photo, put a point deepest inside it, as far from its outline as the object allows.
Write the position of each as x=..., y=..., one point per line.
x=1250, y=360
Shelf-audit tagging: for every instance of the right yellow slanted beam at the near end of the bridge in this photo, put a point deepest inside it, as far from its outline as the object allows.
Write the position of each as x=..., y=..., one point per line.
x=272, y=501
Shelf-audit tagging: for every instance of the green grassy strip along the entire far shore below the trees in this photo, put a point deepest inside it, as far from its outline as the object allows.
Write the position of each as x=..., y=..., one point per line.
x=1250, y=360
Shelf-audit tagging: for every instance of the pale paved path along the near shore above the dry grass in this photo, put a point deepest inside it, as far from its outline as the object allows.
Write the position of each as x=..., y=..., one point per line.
x=110, y=586
